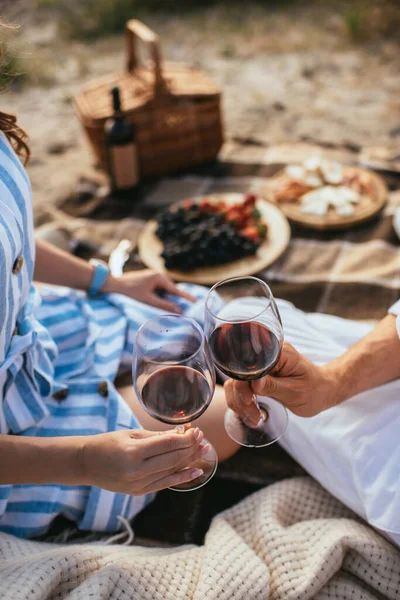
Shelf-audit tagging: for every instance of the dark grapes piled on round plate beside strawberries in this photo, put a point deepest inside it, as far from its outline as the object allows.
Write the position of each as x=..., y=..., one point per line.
x=194, y=237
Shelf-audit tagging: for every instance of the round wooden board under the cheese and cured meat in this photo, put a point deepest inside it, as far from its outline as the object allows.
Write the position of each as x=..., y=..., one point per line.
x=366, y=209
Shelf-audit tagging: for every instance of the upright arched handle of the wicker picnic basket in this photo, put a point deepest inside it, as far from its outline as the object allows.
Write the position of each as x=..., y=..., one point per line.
x=137, y=30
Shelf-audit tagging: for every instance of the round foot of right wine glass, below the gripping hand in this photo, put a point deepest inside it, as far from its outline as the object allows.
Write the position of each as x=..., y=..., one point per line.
x=267, y=431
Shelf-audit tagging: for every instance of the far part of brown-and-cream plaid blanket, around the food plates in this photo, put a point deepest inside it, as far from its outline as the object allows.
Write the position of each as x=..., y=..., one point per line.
x=353, y=274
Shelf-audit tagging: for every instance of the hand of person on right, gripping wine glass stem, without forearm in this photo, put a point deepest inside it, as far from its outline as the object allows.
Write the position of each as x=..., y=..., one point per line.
x=303, y=387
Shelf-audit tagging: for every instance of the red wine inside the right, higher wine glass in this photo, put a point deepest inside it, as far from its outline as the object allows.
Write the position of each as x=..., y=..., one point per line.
x=244, y=351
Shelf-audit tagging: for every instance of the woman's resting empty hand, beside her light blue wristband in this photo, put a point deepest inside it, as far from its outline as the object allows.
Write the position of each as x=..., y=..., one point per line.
x=146, y=286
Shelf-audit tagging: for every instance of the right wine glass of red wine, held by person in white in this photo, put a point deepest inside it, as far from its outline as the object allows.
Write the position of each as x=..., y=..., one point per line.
x=245, y=336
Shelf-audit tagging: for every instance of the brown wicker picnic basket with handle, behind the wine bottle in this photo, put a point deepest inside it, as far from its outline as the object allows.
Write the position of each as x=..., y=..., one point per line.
x=175, y=109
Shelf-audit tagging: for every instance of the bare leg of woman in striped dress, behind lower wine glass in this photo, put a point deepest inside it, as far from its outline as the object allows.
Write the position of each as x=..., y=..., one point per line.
x=211, y=421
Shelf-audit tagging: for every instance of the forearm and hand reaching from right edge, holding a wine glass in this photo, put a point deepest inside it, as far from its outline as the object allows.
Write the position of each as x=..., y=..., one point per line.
x=307, y=389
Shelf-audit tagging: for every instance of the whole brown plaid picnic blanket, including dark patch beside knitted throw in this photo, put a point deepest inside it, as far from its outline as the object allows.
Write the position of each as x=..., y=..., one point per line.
x=353, y=274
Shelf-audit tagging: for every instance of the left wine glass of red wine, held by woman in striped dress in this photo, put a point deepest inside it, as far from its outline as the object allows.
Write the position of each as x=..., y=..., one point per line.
x=174, y=379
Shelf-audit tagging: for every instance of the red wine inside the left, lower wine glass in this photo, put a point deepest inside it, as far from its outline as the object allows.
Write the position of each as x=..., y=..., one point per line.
x=176, y=394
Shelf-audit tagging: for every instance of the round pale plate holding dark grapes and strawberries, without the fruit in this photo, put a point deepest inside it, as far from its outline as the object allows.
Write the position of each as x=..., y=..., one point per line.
x=278, y=236
